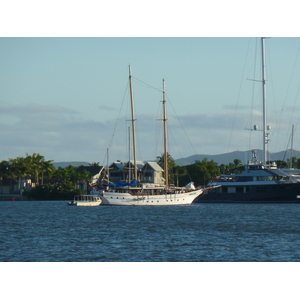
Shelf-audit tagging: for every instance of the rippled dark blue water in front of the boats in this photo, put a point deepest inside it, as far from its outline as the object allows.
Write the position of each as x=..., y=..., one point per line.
x=53, y=231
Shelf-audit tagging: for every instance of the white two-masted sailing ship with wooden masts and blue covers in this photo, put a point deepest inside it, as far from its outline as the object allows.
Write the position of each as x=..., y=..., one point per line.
x=122, y=193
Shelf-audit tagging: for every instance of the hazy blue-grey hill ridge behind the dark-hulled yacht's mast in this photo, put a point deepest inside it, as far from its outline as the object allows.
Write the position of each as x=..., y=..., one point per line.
x=244, y=156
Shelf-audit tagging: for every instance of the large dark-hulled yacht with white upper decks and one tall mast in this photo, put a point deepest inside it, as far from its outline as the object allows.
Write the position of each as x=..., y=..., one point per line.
x=260, y=182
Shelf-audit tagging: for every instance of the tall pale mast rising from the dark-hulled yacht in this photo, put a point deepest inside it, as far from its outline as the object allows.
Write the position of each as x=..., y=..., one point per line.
x=265, y=128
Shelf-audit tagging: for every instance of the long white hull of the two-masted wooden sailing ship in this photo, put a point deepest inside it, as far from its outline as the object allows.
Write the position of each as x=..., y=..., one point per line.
x=115, y=198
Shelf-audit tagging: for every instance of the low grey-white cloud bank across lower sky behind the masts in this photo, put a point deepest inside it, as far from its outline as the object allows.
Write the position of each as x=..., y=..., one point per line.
x=61, y=134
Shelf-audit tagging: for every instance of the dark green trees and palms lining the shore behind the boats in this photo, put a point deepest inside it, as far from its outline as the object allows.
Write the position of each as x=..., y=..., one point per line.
x=64, y=181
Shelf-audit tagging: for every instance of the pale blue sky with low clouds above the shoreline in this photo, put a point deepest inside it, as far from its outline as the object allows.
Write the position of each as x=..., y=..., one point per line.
x=66, y=97
